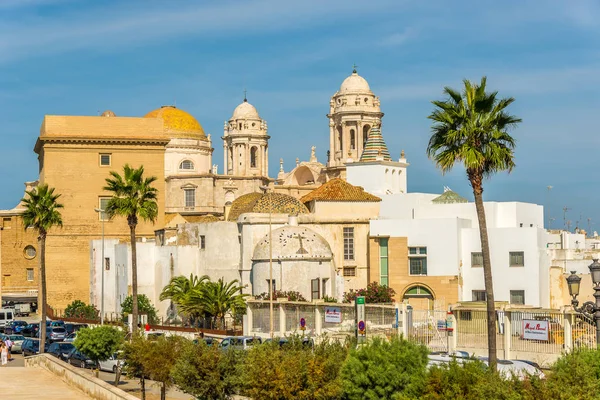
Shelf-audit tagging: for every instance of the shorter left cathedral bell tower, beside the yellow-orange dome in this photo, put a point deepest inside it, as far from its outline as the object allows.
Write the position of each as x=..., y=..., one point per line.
x=246, y=143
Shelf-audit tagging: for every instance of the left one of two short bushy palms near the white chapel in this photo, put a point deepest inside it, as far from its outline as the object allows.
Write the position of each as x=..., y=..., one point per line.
x=184, y=293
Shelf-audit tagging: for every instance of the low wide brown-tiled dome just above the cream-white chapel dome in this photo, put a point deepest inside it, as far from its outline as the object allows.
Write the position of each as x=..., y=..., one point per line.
x=261, y=203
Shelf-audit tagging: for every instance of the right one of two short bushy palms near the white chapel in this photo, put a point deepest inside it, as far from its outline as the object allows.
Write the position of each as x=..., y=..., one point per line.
x=218, y=299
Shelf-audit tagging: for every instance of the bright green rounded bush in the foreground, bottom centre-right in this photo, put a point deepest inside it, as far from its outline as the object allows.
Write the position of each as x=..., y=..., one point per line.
x=385, y=370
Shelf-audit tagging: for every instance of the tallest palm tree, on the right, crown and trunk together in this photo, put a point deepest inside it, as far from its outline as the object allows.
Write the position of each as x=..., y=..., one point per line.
x=472, y=128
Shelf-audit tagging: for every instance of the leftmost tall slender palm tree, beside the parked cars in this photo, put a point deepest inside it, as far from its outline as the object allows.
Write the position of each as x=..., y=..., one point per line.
x=42, y=213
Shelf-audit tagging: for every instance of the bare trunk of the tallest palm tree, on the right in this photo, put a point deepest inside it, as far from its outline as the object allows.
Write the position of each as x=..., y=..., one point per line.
x=487, y=276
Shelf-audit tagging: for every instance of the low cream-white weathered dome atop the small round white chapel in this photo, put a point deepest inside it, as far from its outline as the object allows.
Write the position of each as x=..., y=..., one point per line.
x=294, y=243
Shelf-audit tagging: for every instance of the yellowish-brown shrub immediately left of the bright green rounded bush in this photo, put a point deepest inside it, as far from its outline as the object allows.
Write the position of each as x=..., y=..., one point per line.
x=294, y=370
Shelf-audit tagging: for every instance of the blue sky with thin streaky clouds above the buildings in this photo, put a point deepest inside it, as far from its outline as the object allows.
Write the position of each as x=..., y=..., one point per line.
x=83, y=57
